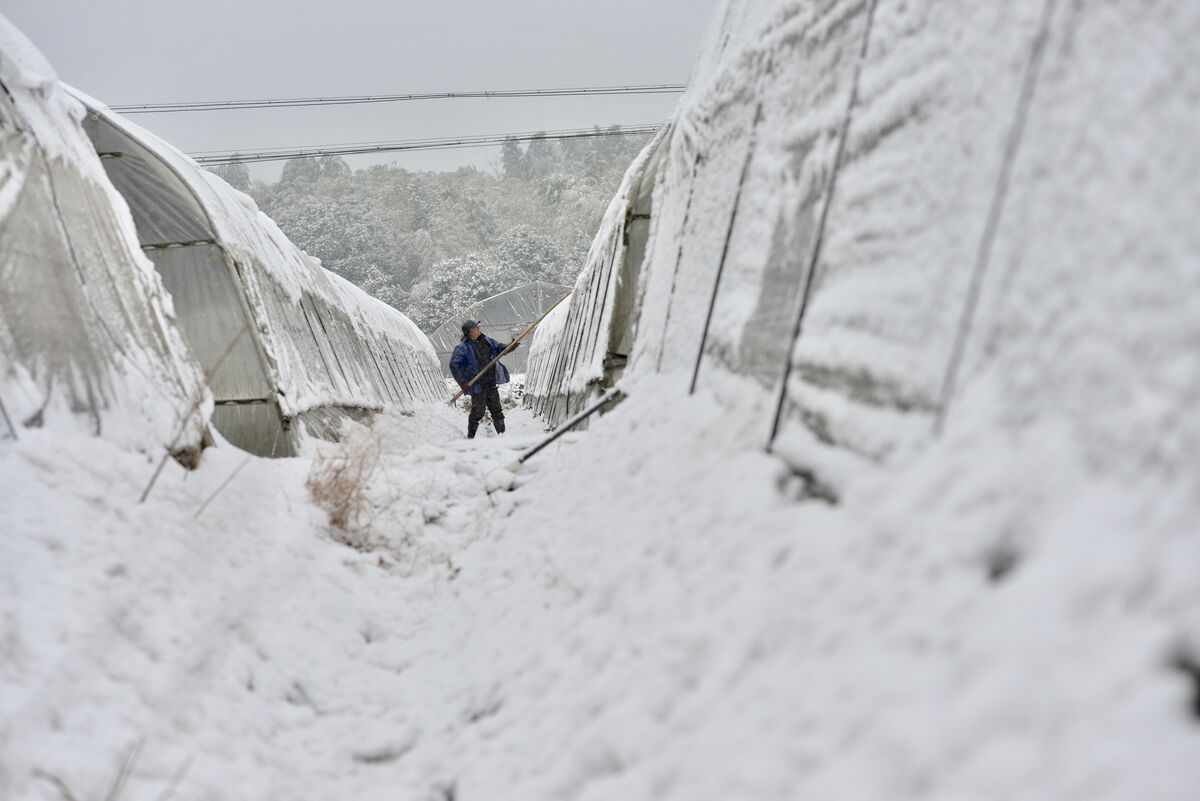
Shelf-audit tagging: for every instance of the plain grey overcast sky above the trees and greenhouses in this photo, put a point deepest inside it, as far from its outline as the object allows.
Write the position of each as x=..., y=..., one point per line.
x=175, y=51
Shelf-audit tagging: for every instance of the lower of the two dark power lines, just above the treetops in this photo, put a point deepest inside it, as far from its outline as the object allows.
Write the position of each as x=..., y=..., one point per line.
x=453, y=143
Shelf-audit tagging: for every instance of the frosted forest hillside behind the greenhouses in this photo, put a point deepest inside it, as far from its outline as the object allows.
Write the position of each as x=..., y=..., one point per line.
x=430, y=244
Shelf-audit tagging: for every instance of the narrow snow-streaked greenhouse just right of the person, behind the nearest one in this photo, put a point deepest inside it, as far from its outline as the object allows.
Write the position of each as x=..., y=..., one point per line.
x=585, y=346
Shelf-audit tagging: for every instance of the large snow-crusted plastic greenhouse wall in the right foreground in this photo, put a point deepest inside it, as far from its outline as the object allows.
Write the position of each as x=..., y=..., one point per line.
x=867, y=207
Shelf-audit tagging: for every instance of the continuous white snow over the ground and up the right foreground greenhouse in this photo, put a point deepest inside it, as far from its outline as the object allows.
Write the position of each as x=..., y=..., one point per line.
x=659, y=609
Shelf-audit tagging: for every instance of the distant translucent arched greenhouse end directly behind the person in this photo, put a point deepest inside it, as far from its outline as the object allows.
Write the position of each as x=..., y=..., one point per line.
x=501, y=317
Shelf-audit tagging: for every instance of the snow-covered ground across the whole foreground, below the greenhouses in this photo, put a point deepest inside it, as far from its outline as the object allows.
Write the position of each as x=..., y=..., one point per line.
x=598, y=633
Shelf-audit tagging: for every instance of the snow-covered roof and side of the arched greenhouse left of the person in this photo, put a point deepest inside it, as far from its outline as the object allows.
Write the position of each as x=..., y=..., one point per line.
x=311, y=363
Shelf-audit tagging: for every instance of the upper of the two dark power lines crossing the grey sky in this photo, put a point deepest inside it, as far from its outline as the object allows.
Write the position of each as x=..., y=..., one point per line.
x=352, y=100
